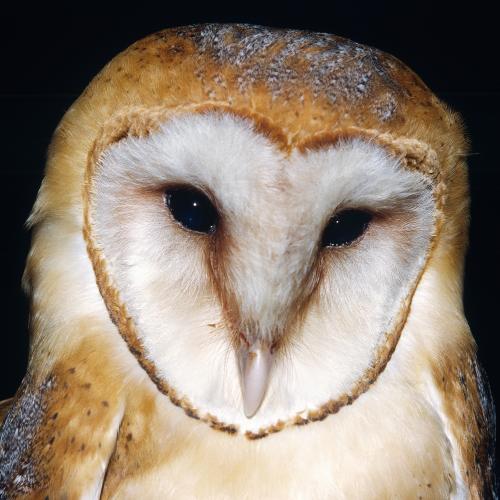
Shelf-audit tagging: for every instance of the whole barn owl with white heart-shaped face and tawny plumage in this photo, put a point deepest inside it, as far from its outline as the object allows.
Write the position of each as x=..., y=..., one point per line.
x=246, y=282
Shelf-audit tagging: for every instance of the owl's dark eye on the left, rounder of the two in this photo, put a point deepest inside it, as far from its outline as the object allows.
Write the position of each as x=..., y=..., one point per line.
x=191, y=208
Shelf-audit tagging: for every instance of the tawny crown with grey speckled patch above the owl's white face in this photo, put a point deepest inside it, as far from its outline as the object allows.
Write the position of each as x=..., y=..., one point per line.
x=304, y=80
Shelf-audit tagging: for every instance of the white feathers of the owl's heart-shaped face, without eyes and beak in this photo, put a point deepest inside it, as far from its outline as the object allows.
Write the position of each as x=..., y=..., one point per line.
x=161, y=271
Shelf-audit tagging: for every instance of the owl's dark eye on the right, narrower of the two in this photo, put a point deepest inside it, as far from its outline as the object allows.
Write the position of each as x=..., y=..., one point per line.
x=345, y=227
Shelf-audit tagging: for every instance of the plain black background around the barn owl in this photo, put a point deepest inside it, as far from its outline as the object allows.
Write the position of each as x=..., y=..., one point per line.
x=48, y=57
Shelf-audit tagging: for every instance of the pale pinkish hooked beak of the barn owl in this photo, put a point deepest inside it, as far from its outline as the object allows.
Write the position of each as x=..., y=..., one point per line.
x=255, y=363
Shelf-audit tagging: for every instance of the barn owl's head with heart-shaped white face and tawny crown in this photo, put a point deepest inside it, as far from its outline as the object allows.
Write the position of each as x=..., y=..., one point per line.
x=267, y=218
